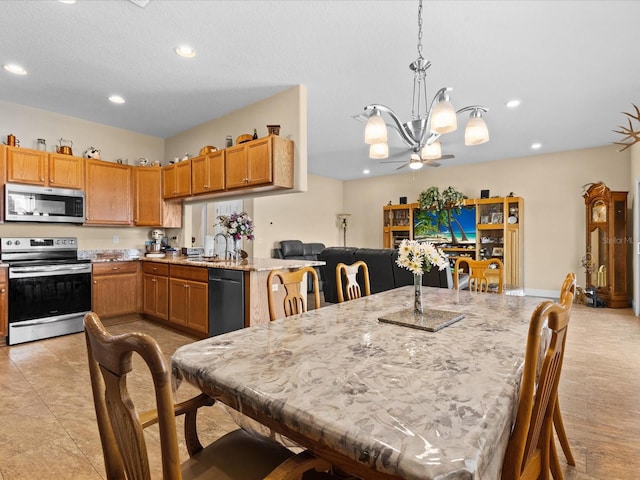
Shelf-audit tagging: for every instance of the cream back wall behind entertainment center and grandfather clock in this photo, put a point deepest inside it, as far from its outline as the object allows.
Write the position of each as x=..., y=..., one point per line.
x=551, y=185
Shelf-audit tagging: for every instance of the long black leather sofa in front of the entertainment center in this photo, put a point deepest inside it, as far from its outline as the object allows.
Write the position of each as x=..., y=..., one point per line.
x=384, y=273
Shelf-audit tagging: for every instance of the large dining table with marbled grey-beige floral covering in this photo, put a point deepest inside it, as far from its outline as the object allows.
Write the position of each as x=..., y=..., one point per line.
x=375, y=396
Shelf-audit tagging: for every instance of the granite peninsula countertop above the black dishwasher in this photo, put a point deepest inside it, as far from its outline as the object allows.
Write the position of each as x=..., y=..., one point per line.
x=246, y=265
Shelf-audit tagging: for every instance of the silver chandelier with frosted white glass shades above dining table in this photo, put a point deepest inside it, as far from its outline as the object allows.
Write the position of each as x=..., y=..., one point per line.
x=428, y=121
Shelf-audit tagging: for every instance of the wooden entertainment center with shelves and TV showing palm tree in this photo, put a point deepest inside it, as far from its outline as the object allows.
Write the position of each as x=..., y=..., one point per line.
x=483, y=228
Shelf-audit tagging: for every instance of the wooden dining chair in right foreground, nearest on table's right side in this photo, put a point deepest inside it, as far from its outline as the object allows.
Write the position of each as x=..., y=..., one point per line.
x=530, y=448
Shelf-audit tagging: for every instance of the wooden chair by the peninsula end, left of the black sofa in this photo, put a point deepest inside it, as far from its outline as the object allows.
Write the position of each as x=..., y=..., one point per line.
x=295, y=286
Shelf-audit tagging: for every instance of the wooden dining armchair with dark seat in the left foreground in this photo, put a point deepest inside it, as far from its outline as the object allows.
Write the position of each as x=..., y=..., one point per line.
x=236, y=455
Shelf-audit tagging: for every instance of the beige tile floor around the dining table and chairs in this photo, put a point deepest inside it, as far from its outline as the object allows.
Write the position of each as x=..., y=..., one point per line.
x=47, y=422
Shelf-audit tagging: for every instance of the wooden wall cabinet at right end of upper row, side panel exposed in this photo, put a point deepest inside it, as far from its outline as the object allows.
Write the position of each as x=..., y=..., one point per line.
x=266, y=161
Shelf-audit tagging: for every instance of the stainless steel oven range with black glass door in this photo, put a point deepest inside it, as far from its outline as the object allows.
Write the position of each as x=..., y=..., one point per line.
x=49, y=287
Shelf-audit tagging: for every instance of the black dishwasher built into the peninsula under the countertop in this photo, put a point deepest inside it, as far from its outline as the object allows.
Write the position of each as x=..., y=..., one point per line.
x=226, y=300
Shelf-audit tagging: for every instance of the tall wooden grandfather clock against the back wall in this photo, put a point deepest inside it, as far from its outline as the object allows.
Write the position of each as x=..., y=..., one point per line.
x=607, y=244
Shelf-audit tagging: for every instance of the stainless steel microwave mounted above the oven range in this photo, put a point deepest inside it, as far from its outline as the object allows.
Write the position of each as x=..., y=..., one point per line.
x=29, y=203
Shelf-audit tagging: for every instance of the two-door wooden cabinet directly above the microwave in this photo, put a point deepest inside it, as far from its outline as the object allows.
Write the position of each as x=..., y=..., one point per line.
x=34, y=167
